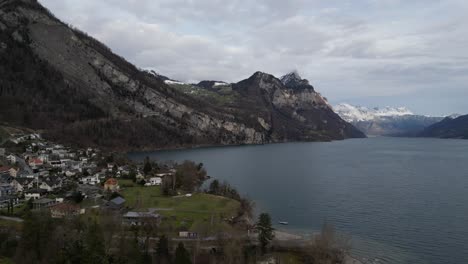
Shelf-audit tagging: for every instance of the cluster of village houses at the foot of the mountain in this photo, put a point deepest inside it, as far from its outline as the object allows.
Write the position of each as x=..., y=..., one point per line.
x=46, y=170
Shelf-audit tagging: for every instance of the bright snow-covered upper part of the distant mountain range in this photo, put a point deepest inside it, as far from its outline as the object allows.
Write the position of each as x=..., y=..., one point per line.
x=353, y=113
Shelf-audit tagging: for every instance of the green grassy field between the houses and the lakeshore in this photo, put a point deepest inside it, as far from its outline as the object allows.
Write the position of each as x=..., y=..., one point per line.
x=193, y=213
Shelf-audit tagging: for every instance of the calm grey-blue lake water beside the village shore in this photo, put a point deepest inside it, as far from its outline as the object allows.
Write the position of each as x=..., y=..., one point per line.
x=402, y=200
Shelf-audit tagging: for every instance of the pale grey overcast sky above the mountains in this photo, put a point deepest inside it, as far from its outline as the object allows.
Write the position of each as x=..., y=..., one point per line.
x=369, y=52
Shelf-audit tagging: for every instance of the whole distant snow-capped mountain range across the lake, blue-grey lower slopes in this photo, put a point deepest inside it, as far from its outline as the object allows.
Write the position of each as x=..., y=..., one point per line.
x=386, y=121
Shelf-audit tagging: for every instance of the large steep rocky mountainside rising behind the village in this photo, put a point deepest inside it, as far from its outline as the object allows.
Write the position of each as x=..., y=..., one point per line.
x=75, y=89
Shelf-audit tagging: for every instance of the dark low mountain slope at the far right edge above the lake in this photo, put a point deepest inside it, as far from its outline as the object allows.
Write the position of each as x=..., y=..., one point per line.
x=448, y=128
